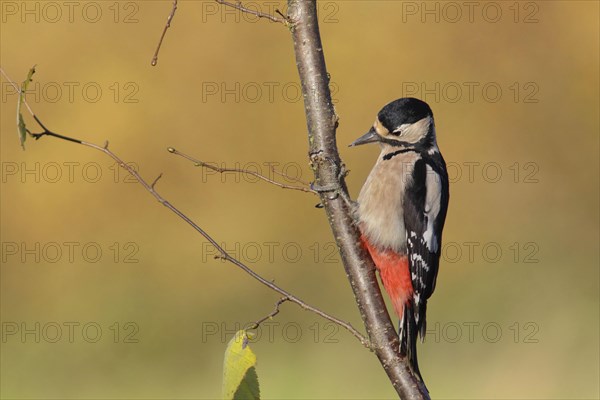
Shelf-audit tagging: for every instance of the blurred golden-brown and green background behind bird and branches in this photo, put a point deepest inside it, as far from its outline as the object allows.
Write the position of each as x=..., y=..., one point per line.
x=106, y=294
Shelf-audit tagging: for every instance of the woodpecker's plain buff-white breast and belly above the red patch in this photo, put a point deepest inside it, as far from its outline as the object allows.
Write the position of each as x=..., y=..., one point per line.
x=380, y=202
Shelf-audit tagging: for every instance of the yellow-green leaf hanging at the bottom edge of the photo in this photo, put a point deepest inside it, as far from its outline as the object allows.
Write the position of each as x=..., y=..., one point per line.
x=239, y=373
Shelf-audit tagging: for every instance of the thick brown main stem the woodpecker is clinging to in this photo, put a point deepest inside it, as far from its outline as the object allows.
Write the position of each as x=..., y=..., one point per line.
x=329, y=182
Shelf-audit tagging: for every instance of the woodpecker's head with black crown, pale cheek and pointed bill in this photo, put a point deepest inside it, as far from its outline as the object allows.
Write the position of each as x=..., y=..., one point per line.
x=406, y=122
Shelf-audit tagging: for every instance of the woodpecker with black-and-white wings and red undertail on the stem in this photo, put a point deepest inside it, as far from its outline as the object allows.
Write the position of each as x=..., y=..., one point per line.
x=400, y=213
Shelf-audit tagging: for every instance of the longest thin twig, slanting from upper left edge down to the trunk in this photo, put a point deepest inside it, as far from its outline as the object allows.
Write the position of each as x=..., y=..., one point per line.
x=224, y=255
